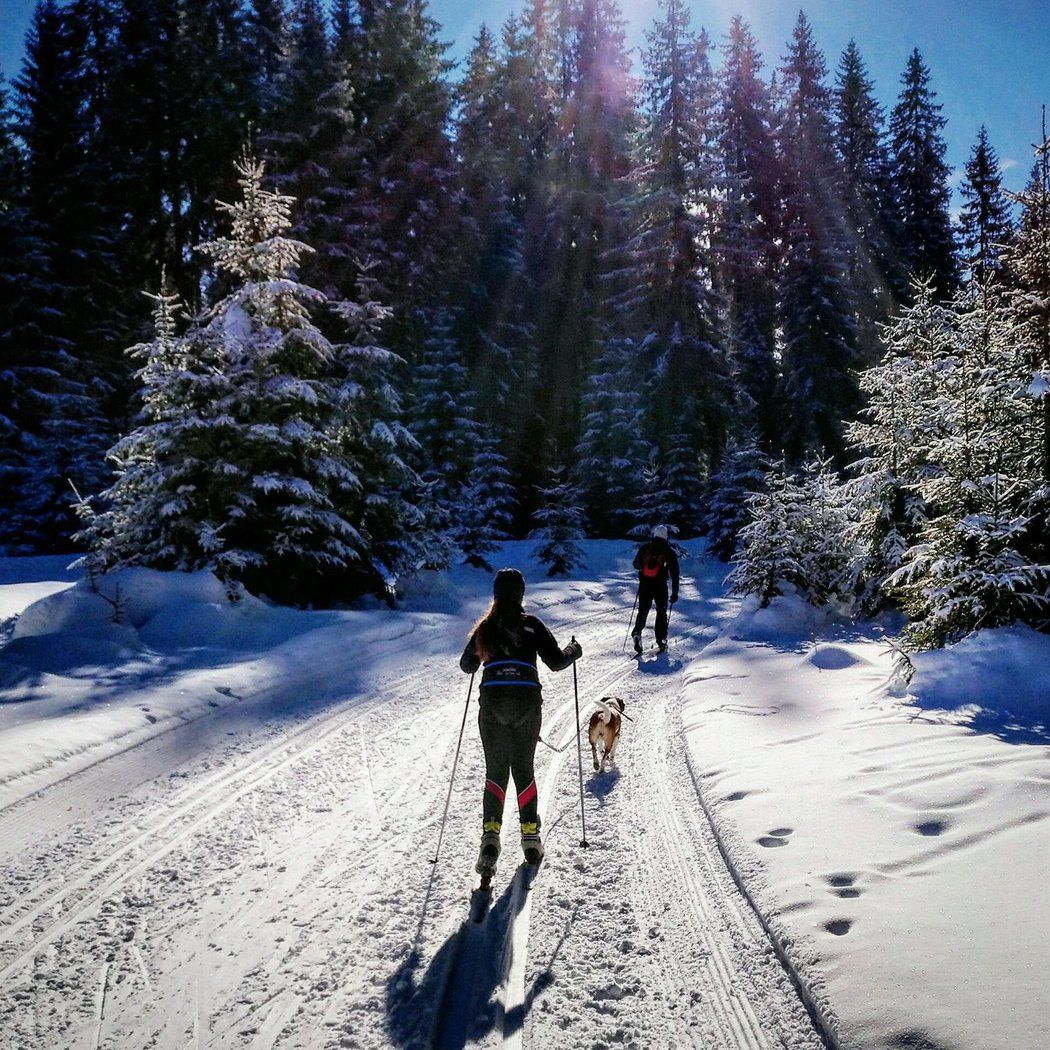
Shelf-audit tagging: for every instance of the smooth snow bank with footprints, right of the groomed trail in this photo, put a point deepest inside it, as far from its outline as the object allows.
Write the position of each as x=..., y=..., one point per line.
x=896, y=842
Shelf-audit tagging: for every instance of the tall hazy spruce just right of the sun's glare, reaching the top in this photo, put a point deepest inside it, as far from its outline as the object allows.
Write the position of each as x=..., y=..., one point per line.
x=664, y=276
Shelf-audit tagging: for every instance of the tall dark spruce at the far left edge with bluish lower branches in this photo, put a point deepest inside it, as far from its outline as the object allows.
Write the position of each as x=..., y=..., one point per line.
x=57, y=369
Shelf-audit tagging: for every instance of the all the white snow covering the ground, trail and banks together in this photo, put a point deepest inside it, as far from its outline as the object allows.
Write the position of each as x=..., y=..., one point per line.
x=217, y=824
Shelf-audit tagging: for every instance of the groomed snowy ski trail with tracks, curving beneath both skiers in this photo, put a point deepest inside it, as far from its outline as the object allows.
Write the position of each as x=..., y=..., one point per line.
x=272, y=888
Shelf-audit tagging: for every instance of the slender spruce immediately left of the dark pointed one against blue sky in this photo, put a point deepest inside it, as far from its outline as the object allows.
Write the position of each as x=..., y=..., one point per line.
x=870, y=212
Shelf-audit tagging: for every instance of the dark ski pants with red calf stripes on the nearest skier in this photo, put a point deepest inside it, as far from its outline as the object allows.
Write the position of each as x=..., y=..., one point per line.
x=510, y=724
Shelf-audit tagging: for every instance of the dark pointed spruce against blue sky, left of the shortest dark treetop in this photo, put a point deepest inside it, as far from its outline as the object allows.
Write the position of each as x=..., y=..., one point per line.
x=921, y=180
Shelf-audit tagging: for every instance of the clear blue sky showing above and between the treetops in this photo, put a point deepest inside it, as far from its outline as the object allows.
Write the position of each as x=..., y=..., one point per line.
x=991, y=60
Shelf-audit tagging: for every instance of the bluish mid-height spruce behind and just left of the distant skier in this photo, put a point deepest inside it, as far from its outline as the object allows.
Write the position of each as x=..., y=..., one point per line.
x=613, y=450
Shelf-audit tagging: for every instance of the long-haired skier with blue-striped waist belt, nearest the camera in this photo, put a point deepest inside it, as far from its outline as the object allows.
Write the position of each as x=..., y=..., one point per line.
x=507, y=642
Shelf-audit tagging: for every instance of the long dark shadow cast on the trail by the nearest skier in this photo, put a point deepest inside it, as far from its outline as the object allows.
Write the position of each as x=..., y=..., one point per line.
x=453, y=1002
